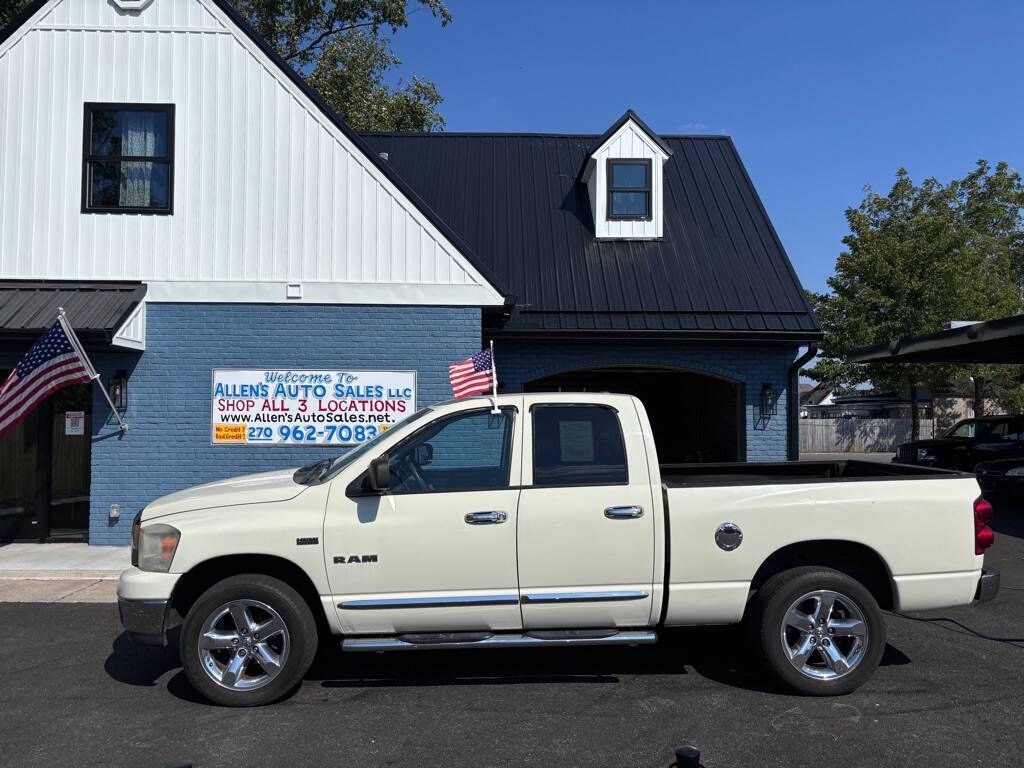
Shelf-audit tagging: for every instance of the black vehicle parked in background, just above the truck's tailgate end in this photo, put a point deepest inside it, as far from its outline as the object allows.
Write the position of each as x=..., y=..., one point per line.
x=968, y=444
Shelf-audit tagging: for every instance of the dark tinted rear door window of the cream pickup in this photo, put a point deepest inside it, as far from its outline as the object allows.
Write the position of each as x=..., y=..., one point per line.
x=578, y=446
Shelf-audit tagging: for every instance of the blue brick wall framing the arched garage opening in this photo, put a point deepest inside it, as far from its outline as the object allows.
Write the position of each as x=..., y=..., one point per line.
x=749, y=364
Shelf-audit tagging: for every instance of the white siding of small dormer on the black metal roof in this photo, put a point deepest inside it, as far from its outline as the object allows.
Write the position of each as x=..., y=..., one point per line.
x=629, y=143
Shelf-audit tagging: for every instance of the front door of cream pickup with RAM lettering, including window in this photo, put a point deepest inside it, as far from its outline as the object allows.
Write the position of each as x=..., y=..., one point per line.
x=438, y=551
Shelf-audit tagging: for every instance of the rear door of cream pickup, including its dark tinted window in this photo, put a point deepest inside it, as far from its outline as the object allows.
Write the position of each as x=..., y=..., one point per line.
x=586, y=520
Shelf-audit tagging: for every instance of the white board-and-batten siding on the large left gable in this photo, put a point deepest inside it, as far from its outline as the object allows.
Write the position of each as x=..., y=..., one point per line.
x=268, y=190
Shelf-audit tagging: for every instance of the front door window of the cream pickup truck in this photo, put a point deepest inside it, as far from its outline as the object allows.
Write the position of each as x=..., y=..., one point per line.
x=471, y=451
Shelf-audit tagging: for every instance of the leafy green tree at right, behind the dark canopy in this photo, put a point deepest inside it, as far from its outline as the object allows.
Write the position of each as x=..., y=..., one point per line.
x=916, y=259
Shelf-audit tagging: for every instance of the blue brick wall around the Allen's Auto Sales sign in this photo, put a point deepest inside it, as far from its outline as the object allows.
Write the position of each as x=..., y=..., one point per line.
x=167, y=447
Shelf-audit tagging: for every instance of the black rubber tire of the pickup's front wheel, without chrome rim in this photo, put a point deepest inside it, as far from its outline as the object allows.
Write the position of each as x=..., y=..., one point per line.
x=302, y=638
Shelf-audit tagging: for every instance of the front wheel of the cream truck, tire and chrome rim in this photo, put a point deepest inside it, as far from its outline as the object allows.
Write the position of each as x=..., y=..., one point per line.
x=248, y=642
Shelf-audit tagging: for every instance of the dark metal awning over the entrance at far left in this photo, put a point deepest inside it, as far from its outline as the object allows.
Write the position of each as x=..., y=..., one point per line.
x=96, y=311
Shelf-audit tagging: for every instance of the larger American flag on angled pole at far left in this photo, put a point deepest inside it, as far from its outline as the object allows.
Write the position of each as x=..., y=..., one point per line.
x=52, y=364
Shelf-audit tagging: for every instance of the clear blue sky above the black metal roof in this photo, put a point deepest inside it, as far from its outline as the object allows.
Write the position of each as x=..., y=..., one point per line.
x=822, y=99
